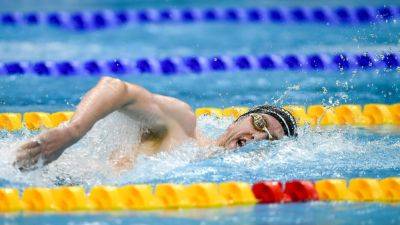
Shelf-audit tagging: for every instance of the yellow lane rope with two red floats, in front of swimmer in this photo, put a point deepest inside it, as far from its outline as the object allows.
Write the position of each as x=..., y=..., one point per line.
x=198, y=195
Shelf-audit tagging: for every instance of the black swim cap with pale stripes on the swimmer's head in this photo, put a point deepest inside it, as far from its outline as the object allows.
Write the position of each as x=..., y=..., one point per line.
x=284, y=117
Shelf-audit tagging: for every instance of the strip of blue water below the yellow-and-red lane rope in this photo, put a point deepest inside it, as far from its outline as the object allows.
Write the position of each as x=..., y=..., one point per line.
x=307, y=213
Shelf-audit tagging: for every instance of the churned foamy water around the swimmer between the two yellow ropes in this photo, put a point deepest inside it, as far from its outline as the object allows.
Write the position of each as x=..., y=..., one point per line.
x=316, y=153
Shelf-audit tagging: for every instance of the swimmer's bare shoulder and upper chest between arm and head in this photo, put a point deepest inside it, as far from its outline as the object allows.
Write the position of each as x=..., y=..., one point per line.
x=176, y=124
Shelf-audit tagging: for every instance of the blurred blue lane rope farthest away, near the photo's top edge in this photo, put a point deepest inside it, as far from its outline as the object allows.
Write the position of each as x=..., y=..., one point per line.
x=92, y=20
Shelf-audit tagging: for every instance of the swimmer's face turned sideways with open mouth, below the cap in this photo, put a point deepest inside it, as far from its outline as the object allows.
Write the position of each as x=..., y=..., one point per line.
x=243, y=131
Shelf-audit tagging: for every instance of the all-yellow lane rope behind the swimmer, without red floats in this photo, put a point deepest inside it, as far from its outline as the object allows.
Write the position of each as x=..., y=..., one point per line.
x=353, y=115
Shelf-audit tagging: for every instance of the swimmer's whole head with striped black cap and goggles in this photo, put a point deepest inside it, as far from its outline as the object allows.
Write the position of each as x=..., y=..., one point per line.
x=265, y=122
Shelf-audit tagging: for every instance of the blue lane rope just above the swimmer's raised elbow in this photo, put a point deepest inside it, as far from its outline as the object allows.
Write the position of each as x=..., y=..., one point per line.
x=196, y=64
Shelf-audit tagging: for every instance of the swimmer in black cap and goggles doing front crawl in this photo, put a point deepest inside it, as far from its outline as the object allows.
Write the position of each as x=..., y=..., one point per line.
x=168, y=122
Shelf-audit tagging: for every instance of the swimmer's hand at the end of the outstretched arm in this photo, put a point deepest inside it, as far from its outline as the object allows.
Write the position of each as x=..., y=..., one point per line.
x=45, y=148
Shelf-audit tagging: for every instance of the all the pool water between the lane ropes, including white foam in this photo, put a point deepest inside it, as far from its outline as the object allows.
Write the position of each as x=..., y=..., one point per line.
x=318, y=153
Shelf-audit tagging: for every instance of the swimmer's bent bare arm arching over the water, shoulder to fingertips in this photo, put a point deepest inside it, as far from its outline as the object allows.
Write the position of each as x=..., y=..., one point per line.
x=107, y=96
